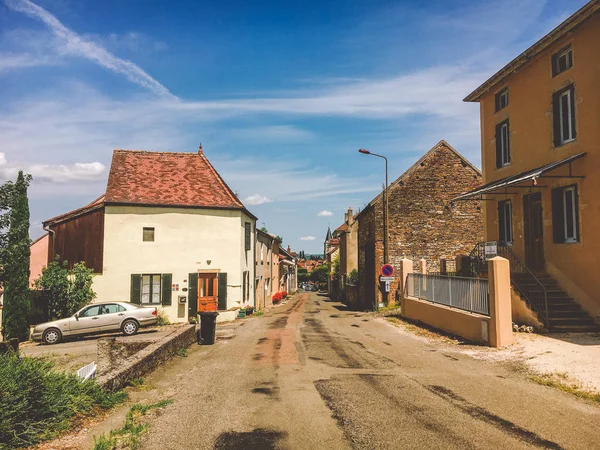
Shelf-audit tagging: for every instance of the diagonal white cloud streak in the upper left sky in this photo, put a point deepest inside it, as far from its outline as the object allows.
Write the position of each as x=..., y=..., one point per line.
x=71, y=43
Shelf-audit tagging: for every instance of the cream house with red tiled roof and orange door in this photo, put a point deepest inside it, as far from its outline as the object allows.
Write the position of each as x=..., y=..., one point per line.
x=168, y=232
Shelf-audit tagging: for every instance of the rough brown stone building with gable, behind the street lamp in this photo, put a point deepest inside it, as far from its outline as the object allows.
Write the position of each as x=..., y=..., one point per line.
x=422, y=222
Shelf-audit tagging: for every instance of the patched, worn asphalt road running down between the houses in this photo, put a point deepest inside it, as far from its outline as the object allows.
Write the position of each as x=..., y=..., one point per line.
x=312, y=375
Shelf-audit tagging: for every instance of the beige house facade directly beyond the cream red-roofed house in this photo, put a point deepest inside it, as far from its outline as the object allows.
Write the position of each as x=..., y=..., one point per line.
x=266, y=271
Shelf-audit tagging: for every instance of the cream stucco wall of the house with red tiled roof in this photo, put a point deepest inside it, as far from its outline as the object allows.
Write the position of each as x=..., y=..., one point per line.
x=185, y=240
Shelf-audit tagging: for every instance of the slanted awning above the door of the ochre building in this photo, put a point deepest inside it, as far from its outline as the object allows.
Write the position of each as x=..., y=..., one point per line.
x=514, y=180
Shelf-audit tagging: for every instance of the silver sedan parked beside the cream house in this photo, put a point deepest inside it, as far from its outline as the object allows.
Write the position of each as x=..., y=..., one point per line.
x=97, y=318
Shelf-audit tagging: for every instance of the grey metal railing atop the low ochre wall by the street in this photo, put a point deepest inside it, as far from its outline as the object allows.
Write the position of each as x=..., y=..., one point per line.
x=468, y=294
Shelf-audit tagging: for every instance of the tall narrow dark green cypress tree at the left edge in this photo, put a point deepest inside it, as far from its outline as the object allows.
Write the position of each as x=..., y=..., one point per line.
x=15, y=316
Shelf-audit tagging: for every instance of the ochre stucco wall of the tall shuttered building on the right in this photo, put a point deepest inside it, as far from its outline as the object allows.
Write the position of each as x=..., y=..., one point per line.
x=574, y=265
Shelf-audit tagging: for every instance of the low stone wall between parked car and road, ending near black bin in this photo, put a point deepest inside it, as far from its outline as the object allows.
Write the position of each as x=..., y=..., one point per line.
x=118, y=362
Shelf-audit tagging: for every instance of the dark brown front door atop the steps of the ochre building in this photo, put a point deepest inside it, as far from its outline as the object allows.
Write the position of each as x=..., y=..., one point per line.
x=534, y=231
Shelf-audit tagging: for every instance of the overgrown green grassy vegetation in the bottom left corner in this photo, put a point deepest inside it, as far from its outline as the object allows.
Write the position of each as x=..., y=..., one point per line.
x=39, y=403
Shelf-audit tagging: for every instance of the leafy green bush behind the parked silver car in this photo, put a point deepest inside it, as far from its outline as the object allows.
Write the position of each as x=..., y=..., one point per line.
x=66, y=291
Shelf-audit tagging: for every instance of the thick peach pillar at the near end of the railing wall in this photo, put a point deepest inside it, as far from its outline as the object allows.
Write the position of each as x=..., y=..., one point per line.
x=500, y=332
